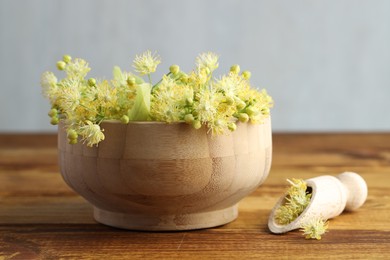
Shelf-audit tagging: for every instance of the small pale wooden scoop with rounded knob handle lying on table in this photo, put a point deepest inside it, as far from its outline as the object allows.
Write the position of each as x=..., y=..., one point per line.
x=330, y=196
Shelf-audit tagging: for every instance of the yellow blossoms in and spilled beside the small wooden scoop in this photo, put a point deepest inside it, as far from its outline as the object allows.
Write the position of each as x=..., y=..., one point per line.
x=296, y=200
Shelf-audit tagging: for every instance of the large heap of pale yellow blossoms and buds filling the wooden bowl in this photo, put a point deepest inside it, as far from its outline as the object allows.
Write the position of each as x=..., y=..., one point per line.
x=196, y=98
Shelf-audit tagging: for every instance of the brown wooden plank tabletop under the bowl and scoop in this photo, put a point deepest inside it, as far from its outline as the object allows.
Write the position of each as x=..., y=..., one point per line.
x=41, y=218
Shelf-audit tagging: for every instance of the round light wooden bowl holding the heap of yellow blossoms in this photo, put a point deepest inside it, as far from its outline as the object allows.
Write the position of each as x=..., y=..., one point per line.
x=157, y=176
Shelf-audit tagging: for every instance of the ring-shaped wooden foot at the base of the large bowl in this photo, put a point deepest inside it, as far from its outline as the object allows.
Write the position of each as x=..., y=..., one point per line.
x=166, y=222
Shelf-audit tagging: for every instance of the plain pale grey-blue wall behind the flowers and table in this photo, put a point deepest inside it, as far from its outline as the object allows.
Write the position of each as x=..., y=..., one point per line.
x=326, y=63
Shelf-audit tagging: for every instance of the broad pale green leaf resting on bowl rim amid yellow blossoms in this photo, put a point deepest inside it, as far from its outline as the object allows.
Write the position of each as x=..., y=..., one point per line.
x=141, y=108
